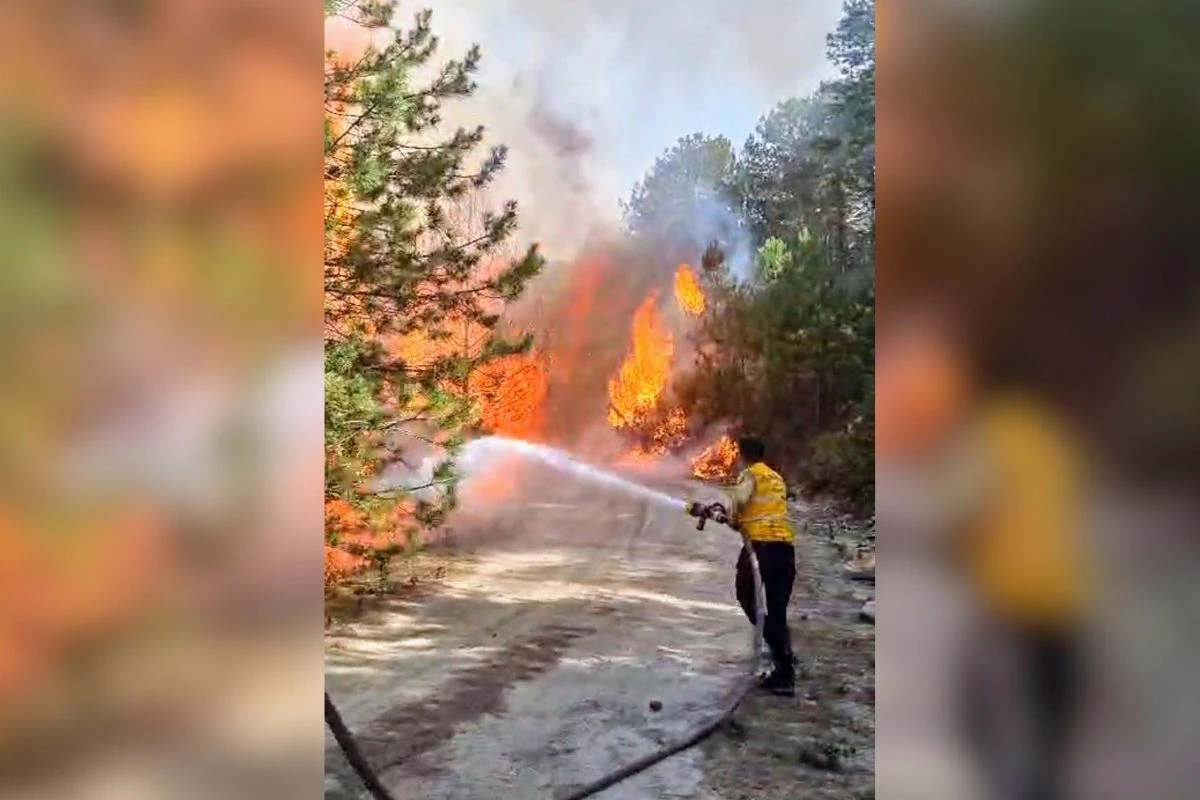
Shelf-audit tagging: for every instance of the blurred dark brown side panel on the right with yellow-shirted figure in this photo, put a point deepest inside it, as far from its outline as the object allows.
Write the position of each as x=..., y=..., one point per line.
x=1039, y=402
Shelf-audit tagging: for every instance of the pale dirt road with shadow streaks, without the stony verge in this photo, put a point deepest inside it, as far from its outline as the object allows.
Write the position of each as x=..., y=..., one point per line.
x=531, y=669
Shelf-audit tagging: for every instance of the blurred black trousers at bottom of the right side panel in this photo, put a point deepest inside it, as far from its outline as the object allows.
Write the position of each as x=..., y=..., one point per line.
x=1037, y=693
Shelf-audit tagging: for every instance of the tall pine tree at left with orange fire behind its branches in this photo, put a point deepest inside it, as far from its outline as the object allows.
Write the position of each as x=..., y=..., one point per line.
x=404, y=273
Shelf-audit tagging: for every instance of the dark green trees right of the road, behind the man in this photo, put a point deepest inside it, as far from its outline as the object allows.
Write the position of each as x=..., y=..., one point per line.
x=790, y=354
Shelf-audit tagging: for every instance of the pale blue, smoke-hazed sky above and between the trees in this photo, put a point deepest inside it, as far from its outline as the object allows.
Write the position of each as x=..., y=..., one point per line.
x=586, y=94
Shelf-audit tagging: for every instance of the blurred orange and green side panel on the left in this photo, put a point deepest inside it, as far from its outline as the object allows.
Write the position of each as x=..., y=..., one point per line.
x=160, y=405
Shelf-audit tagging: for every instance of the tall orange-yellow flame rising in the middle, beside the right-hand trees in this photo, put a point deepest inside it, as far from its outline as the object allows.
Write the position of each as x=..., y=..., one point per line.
x=635, y=393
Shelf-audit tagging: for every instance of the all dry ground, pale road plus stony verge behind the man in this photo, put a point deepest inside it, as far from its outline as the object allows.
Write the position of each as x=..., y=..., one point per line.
x=523, y=660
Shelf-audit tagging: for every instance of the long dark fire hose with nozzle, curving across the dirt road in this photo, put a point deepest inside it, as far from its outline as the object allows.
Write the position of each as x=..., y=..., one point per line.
x=715, y=512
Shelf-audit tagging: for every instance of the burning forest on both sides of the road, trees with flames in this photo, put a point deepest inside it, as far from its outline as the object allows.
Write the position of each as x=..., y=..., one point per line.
x=418, y=281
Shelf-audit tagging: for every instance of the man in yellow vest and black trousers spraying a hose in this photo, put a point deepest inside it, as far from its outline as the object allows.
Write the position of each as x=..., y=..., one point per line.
x=759, y=510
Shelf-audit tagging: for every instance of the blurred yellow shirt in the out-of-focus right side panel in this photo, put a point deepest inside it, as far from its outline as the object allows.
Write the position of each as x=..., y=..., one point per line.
x=1025, y=552
